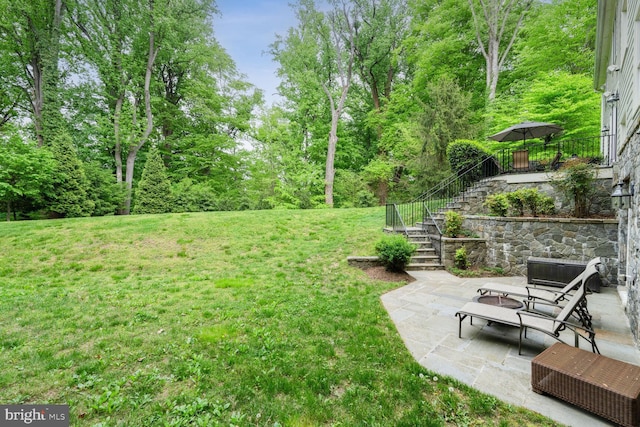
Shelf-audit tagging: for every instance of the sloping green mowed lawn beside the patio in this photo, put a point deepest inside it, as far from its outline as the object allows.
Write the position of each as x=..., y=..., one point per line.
x=238, y=318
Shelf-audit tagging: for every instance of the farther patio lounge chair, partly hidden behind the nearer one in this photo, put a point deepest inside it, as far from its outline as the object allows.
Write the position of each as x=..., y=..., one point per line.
x=533, y=293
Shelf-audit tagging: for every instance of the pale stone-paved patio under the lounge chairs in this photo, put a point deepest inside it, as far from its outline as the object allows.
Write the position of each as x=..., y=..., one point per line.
x=486, y=357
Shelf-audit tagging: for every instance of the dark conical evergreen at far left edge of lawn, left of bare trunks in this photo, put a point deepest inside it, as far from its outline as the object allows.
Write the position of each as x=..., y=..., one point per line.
x=69, y=195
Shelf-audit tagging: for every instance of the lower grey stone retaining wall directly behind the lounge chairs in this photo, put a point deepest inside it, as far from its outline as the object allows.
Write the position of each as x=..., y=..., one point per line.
x=510, y=241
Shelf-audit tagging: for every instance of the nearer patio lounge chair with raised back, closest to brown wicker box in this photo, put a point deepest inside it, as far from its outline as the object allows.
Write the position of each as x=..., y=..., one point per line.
x=523, y=319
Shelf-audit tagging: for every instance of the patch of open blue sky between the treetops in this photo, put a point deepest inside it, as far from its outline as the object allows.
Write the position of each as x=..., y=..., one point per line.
x=246, y=28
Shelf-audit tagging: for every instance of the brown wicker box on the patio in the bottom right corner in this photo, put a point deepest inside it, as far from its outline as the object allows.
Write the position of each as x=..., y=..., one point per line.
x=607, y=387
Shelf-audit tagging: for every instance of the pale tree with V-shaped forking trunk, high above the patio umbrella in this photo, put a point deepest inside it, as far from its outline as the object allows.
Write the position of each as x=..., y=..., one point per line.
x=497, y=24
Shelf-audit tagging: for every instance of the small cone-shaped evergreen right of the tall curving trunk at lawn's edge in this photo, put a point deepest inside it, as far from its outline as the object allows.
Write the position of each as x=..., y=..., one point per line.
x=153, y=195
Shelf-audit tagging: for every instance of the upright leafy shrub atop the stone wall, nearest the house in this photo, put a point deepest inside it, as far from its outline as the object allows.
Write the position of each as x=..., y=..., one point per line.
x=576, y=180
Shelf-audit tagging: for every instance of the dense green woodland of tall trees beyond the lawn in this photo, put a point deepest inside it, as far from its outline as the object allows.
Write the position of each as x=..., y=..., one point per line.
x=372, y=93
